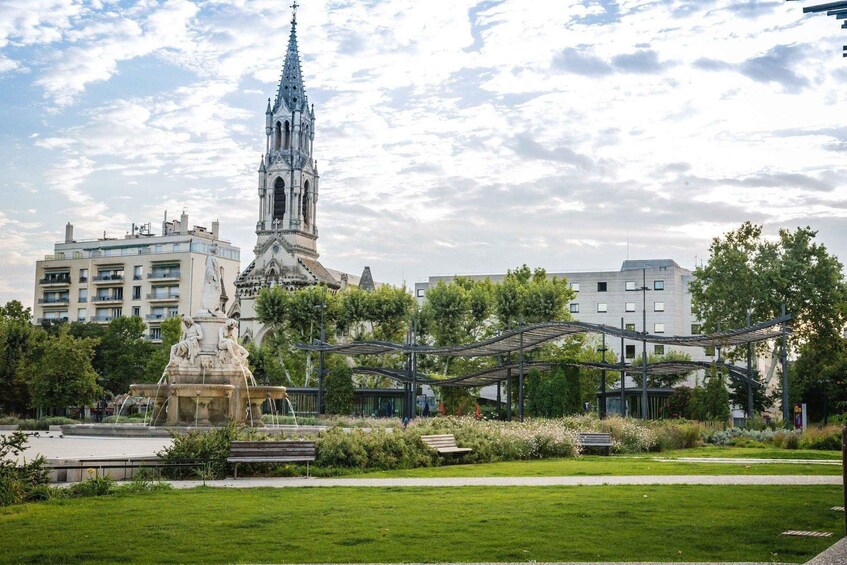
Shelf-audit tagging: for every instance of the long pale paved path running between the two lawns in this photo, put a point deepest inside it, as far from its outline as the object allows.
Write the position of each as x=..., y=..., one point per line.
x=300, y=482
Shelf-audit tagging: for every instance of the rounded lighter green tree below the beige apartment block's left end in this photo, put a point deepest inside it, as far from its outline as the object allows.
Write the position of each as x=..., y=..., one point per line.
x=60, y=373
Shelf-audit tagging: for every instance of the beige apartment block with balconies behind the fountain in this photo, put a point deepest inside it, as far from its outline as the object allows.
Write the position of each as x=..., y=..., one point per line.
x=151, y=276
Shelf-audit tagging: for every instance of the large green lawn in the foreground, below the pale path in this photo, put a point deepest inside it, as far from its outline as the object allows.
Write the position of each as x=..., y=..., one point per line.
x=485, y=524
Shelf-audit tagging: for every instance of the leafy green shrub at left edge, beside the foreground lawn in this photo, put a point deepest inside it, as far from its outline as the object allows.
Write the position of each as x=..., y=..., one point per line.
x=24, y=482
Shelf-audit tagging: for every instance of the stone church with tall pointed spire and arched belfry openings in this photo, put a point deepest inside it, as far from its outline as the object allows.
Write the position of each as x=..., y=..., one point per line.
x=286, y=251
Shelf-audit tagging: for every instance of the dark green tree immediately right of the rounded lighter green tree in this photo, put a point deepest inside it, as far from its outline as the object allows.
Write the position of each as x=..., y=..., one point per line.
x=123, y=354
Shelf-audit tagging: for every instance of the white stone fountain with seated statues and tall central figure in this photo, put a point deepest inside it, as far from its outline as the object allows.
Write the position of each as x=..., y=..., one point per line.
x=207, y=381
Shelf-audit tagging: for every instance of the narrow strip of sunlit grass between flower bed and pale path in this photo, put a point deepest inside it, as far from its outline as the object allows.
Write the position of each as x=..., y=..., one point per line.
x=607, y=466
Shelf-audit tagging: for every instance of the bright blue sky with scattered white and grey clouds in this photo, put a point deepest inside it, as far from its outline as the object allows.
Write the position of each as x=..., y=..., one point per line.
x=458, y=136
